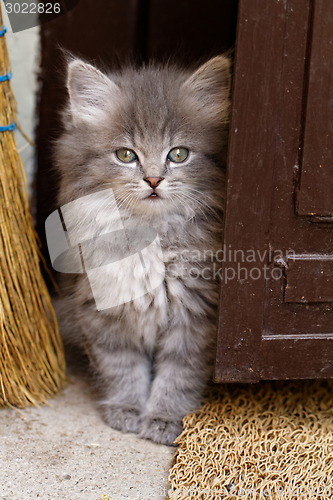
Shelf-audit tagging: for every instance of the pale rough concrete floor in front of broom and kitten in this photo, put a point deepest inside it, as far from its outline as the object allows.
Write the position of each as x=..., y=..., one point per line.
x=65, y=451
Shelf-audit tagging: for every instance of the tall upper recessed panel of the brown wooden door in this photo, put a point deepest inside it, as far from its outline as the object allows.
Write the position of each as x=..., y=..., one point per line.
x=315, y=195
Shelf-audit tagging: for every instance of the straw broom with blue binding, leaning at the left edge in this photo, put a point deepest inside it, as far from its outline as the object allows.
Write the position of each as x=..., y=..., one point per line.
x=32, y=365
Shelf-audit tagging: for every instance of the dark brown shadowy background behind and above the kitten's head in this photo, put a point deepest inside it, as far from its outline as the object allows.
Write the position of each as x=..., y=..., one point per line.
x=109, y=33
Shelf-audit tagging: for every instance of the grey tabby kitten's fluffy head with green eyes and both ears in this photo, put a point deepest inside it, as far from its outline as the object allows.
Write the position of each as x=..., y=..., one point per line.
x=155, y=135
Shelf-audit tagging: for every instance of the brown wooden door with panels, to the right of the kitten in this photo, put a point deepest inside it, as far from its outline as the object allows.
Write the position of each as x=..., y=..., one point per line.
x=276, y=307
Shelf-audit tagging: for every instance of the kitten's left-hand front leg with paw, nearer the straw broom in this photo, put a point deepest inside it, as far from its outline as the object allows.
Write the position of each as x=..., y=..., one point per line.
x=125, y=376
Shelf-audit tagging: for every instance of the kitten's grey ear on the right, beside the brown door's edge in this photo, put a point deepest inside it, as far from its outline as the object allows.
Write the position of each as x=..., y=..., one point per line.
x=210, y=85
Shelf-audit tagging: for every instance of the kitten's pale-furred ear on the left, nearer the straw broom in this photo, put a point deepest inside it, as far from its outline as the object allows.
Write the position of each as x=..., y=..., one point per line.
x=88, y=90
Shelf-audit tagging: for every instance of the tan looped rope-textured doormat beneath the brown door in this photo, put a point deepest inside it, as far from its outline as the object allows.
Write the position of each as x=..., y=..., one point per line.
x=270, y=440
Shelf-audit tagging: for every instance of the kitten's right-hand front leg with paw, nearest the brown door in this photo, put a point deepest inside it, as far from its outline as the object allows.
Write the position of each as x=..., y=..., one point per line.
x=183, y=368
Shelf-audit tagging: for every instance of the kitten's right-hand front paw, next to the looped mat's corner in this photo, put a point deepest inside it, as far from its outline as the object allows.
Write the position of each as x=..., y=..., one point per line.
x=161, y=431
